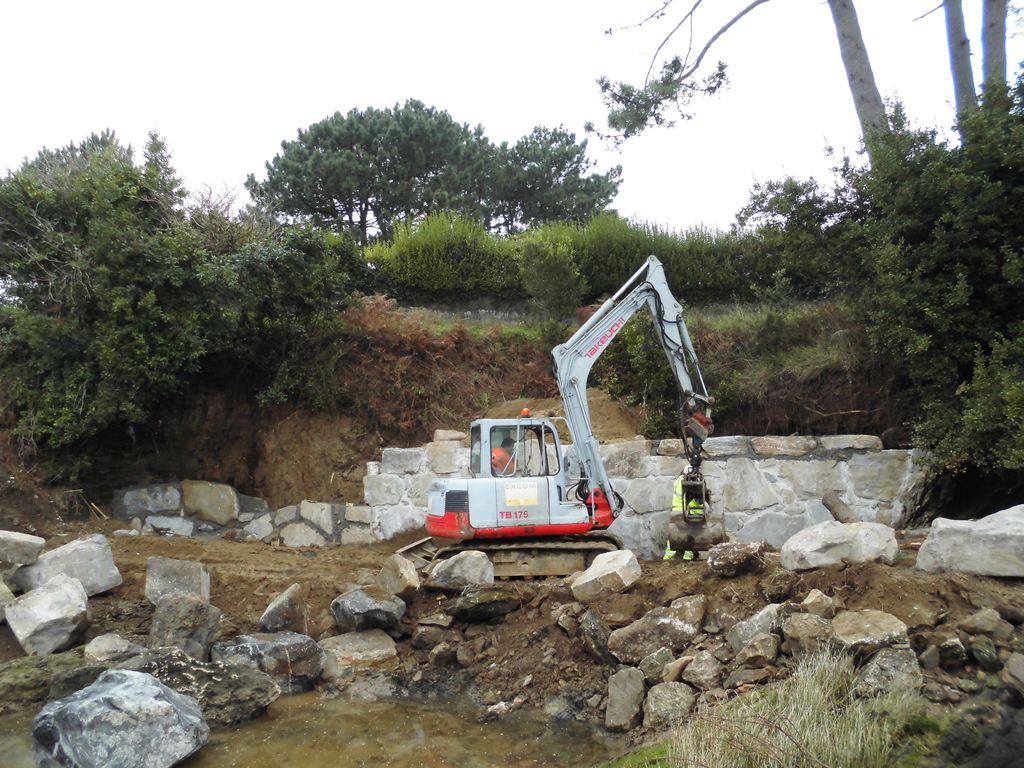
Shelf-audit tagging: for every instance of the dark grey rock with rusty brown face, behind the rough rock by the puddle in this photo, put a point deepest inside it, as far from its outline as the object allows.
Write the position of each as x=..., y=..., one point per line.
x=294, y=661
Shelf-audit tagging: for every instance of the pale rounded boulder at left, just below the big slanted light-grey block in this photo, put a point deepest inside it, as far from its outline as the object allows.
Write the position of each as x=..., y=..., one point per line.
x=52, y=618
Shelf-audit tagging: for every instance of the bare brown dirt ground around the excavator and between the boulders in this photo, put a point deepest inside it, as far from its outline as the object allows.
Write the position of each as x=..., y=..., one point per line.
x=527, y=655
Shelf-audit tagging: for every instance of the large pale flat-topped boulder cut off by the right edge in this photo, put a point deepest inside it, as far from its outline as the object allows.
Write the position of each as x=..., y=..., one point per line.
x=992, y=546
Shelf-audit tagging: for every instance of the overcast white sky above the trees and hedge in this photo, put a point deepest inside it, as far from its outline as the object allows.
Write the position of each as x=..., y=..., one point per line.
x=226, y=82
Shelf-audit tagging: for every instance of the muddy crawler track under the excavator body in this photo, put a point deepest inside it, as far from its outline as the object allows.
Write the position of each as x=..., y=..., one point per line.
x=513, y=559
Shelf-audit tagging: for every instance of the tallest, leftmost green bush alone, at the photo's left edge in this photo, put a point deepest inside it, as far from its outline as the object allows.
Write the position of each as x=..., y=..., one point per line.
x=107, y=305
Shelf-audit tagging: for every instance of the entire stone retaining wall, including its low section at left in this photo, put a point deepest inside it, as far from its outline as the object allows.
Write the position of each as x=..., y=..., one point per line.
x=765, y=489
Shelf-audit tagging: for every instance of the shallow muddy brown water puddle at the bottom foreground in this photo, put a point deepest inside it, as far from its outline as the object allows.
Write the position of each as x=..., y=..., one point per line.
x=307, y=732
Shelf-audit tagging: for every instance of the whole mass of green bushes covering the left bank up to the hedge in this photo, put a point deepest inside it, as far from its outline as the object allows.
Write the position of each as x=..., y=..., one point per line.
x=114, y=297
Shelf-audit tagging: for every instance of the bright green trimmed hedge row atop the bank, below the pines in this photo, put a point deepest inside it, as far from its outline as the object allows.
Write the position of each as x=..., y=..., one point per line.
x=445, y=255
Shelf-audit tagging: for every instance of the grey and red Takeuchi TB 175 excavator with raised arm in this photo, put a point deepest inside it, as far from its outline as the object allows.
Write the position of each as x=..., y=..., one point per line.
x=520, y=506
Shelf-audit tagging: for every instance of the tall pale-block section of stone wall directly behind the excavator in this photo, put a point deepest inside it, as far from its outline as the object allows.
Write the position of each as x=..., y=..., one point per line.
x=766, y=489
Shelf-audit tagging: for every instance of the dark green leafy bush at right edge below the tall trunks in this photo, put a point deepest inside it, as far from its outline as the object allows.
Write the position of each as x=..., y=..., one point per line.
x=949, y=276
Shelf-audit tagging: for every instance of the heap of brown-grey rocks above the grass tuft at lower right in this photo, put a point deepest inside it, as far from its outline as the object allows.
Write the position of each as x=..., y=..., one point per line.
x=678, y=657
